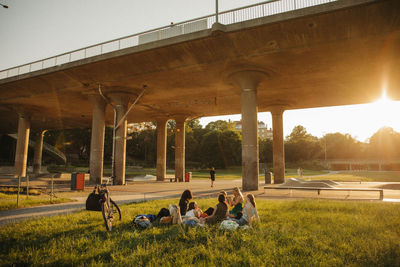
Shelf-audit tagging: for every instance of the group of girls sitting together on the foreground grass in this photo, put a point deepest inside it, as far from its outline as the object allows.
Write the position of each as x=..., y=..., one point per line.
x=189, y=213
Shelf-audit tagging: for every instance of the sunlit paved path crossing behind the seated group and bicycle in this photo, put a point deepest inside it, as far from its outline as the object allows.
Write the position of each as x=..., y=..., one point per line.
x=141, y=191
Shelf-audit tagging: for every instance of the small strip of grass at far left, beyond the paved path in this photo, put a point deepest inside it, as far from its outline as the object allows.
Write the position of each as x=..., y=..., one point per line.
x=9, y=201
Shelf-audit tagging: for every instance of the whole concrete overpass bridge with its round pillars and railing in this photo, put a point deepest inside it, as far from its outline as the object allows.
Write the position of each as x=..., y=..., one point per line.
x=274, y=56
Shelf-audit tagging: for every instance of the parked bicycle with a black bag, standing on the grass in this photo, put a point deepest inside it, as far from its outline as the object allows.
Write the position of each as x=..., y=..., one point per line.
x=100, y=200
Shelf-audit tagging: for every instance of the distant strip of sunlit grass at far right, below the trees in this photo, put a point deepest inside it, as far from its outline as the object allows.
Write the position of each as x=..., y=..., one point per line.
x=393, y=176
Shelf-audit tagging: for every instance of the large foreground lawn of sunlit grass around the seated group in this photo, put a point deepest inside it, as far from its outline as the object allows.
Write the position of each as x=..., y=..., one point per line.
x=297, y=233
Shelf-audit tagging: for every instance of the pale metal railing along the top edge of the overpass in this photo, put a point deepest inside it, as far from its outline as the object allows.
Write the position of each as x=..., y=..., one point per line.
x=266, y=8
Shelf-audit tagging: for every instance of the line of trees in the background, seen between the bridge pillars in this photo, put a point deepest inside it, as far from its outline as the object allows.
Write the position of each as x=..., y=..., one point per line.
x=218, y=144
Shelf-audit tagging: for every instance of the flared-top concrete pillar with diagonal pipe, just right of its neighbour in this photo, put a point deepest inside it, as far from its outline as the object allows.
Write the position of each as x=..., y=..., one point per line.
x=121, y=101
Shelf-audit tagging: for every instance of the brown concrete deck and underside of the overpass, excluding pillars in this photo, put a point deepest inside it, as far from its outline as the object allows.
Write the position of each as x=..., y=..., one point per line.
x=312, y=58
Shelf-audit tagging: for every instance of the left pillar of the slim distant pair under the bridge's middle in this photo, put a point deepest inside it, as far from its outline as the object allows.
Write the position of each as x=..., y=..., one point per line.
x=161, y=149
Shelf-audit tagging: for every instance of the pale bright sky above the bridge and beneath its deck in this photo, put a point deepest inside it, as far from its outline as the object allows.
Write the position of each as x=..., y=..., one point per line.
x=33, y=30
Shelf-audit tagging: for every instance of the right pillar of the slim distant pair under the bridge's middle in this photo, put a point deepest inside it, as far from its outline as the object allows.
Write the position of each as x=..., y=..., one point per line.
x=180, y=149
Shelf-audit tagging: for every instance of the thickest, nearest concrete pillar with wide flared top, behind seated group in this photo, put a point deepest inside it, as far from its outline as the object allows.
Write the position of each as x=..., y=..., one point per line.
x=248, y=82
